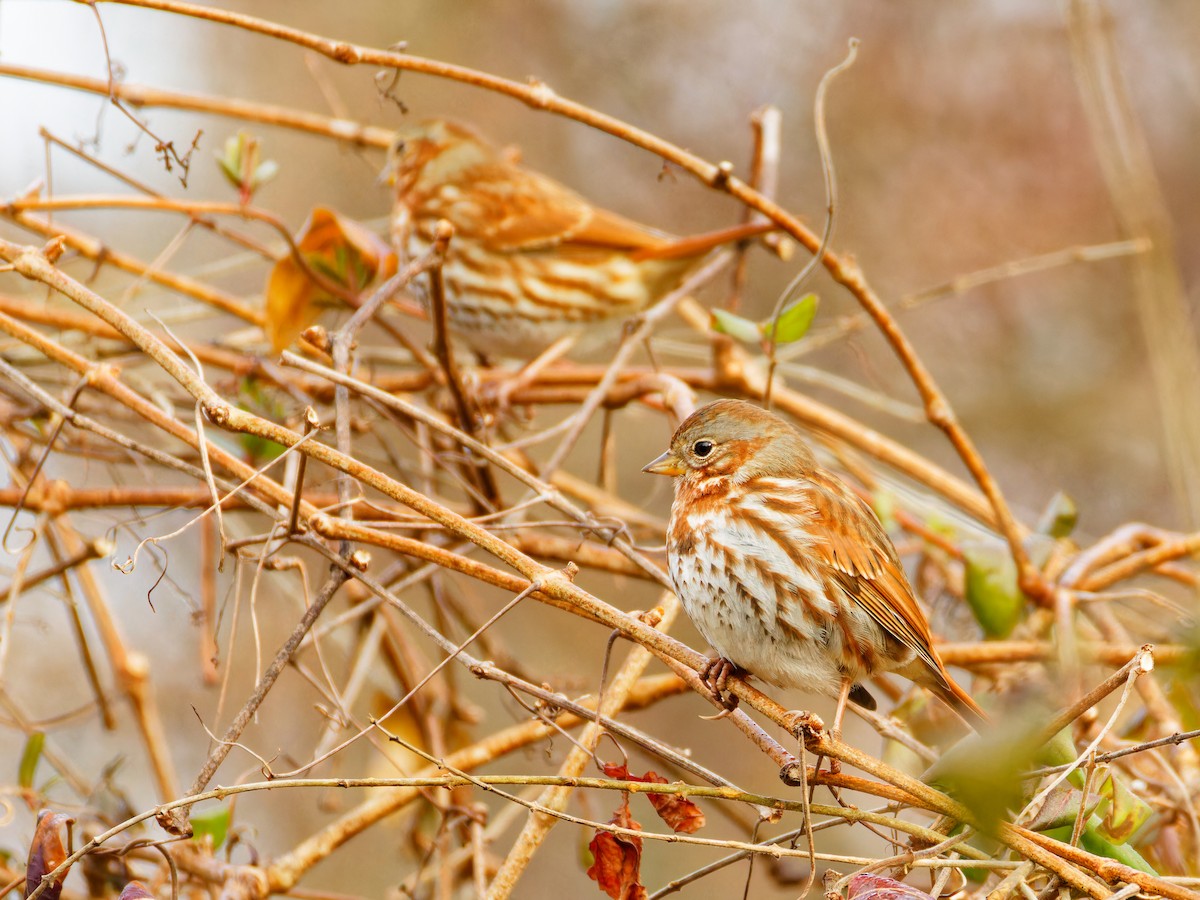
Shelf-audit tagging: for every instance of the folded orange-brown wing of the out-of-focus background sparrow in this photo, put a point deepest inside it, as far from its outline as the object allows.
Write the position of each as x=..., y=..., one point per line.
x=521, y=211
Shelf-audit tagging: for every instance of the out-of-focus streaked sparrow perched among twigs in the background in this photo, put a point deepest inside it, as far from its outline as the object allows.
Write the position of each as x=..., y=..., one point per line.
x=531, y=262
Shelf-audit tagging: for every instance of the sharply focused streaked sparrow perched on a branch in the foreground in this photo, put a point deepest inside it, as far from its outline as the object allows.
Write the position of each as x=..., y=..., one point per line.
x=785, y=572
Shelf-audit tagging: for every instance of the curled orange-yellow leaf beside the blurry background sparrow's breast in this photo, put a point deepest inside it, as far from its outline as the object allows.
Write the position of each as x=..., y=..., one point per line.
x=343, y=251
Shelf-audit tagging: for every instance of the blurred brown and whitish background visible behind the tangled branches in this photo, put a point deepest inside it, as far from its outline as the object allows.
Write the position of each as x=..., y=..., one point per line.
x=961, y=143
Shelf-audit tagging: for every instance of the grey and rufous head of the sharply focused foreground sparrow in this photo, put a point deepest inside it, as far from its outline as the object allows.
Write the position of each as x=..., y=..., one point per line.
x=735, y=440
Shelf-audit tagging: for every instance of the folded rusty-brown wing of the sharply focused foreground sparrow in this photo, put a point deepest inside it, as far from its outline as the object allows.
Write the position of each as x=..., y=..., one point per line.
x=855, y=544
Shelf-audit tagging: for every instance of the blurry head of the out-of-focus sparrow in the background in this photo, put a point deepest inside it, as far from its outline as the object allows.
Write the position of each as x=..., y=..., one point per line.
x=434, y=153
